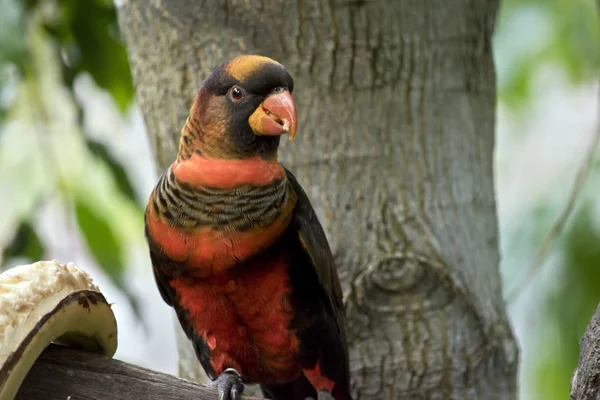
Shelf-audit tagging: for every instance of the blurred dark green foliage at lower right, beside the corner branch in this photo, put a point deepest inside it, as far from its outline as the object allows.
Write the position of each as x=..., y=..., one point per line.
x=570, y=305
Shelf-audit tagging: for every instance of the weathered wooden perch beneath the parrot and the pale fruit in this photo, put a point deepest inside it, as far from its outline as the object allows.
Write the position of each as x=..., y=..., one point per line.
x=62, y=373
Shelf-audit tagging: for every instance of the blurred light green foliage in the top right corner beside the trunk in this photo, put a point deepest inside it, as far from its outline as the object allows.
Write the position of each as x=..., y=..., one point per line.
x=565, y=33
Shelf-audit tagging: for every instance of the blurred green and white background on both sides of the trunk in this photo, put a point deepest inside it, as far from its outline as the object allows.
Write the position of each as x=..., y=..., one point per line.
x=74, y=158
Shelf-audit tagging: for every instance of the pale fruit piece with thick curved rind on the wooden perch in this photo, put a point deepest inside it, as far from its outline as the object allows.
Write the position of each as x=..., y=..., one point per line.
x=49, y=302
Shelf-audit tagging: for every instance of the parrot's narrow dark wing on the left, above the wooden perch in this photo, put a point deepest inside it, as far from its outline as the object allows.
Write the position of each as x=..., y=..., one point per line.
x=160, y=264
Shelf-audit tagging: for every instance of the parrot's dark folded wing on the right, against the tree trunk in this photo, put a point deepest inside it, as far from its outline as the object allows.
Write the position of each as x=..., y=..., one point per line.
x=313, y=240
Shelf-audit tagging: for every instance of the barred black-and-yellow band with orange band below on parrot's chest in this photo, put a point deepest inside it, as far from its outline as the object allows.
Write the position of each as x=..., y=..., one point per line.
x=211, y=228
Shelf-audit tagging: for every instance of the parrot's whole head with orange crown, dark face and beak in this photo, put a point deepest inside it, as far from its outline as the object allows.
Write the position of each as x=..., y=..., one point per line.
x=242, y=109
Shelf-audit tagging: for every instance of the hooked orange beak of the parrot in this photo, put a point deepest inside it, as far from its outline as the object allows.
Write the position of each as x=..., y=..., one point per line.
x=275, y=116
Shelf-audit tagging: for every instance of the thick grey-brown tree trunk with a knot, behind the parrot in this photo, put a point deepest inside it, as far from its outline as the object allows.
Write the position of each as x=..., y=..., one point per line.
x=396, y=104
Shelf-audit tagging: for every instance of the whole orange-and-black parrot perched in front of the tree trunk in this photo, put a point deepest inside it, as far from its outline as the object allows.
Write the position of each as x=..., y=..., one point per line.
x=237, y=249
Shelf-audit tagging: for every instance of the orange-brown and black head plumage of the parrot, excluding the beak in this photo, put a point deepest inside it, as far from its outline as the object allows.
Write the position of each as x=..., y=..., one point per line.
x=218, y=125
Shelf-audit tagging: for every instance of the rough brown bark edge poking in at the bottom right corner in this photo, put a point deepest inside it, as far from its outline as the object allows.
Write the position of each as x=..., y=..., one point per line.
x=585, y=383
